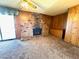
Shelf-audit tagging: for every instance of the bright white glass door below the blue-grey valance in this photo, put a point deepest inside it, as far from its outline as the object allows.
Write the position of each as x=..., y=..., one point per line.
x=7, y=27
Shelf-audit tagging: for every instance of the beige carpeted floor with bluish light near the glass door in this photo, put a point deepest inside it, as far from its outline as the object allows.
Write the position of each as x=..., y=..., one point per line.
x=38, y=48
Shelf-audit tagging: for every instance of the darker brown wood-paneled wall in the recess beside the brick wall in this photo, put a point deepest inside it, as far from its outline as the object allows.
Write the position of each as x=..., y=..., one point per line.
x=58, y=24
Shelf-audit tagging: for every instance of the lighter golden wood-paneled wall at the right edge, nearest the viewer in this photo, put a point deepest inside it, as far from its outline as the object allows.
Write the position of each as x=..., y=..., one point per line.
x=72, y=29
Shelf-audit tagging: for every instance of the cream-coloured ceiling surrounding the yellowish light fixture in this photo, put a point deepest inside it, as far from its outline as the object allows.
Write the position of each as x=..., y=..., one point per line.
x=49, y=7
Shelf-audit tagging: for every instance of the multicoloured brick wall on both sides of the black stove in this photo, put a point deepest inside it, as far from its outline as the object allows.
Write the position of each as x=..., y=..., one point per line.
x=25, y=22
